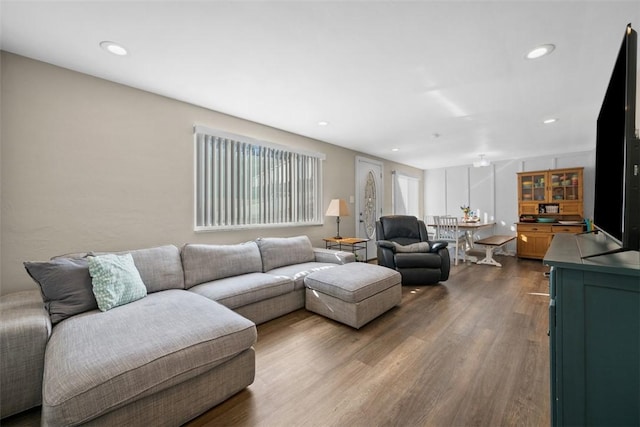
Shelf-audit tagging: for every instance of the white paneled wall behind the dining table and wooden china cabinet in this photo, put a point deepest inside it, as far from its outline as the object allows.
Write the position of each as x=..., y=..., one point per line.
x=493, y=189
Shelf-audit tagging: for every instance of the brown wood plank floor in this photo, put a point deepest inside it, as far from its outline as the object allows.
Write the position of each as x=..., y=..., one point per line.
x=471, y=352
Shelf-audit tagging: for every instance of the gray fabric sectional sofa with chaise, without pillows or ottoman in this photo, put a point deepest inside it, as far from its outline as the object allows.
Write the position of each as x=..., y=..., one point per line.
x=159, y=360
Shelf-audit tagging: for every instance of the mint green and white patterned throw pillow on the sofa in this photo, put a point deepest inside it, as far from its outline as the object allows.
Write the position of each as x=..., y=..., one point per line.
x=116, y=280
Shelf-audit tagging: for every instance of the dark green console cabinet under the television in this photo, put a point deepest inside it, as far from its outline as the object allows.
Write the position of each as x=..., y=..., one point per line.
x=594, y=329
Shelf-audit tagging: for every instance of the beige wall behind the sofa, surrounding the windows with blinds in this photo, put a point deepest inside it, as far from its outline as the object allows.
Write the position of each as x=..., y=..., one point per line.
x=92, y=165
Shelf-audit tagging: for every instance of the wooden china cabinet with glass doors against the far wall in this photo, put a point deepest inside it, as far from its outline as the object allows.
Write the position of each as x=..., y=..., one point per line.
x=549, y=202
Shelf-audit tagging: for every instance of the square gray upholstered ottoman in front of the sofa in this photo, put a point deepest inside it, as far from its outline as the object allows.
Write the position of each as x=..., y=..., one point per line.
x=353, y=293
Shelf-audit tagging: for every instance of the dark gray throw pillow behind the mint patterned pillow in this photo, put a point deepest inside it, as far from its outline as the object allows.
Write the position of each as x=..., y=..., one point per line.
x=66, y=286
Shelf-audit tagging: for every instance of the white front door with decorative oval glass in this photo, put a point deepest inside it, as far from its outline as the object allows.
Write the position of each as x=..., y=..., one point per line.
x=368, y=201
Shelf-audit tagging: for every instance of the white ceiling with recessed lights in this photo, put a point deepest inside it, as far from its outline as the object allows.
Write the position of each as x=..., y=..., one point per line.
x=384, y=74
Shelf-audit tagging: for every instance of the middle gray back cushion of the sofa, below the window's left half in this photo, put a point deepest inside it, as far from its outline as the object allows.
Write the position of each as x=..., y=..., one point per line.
x=204, y=263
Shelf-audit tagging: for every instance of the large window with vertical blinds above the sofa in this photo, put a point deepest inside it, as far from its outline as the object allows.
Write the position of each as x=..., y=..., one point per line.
x=241, y=182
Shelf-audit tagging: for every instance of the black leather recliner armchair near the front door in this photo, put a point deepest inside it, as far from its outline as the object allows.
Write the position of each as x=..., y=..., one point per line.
x=397, y=237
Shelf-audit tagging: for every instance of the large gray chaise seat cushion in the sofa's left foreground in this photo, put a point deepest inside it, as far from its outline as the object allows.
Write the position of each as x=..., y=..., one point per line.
x=98, y=361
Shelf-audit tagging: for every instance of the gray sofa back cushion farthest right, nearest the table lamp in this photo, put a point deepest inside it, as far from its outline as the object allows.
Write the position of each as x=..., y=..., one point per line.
x=280, y=251
